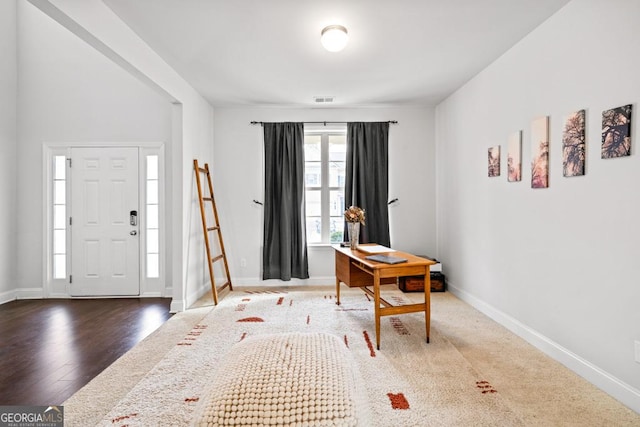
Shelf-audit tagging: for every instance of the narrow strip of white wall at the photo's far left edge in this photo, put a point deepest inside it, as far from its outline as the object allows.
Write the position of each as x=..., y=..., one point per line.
x=8, y=136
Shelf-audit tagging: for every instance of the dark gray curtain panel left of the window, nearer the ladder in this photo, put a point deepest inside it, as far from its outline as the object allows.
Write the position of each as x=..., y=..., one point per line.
x=285, y=240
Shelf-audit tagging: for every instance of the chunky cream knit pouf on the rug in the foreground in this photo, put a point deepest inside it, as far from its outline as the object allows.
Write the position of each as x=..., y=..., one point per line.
x=283, y=380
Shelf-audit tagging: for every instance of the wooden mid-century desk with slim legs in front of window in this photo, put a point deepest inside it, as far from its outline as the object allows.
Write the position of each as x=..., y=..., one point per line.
x=354, y=270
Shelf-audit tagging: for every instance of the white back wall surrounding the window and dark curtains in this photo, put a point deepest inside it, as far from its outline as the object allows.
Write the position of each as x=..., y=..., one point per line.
x=238, y=179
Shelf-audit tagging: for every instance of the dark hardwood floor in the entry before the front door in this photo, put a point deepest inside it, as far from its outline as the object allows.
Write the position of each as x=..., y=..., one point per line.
x=50, y=348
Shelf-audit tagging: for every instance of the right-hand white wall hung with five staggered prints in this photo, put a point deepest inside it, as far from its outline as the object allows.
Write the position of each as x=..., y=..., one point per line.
x=558, y=265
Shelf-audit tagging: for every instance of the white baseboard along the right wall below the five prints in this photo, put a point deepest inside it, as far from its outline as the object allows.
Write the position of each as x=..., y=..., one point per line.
x=628, y=395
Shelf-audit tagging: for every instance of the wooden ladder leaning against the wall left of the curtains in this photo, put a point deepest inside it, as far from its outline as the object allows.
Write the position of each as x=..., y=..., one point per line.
x=211, y=228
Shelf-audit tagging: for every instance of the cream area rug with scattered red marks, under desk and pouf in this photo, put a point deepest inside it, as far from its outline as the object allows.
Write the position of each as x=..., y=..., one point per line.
x=406, y=383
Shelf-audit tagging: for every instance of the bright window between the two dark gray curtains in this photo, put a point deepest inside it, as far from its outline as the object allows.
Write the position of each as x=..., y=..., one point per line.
x=325, y=159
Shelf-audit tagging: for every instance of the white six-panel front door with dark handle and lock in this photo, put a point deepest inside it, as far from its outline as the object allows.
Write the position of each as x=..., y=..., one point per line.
x=104, y=222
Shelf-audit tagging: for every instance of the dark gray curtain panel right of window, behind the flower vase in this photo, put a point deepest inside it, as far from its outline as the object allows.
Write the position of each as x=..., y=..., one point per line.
x=367, y=178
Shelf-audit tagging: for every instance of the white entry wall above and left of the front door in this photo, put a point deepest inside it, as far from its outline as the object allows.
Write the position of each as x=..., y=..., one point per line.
x=70, y=93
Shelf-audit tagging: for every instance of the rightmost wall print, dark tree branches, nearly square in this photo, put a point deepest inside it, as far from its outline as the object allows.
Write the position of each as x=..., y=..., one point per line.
x=616, y=132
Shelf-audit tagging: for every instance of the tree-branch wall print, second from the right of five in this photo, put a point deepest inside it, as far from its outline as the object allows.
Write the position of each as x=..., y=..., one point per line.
x=573, y=144
